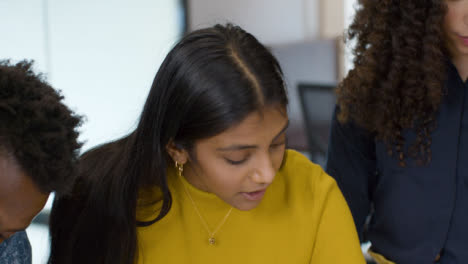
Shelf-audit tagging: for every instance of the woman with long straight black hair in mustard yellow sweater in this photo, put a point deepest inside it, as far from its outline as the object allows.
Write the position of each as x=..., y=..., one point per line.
x=205, y=177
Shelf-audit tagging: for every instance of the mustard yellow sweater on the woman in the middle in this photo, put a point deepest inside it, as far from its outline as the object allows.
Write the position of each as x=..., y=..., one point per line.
x=303, y=218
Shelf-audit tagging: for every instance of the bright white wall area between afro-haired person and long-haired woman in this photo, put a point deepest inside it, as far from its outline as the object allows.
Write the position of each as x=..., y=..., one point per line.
x=103, y=54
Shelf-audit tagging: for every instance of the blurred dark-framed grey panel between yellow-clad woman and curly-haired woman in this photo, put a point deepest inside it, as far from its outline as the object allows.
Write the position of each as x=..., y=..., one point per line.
x=318, y=103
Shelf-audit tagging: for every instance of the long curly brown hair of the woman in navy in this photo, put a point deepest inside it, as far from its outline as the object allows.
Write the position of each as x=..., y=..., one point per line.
x=398, y=75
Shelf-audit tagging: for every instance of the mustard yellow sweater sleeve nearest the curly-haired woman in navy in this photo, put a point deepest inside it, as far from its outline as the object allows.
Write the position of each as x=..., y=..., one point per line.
x=336, y=240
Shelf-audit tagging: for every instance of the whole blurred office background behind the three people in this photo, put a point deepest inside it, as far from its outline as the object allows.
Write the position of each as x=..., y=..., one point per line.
x=103, y=56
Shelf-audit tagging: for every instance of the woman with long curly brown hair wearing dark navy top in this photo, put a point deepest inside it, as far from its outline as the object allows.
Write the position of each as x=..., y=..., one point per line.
x=399, y=138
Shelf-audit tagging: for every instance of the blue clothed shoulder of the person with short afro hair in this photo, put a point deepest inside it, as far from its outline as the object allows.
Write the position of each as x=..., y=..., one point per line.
x=16, y=249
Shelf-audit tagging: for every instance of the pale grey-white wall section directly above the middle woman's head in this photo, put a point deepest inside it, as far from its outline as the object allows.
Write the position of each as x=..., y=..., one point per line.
x=271, y=21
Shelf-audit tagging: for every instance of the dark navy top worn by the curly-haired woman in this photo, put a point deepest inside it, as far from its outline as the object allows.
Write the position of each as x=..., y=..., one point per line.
x=412, y=207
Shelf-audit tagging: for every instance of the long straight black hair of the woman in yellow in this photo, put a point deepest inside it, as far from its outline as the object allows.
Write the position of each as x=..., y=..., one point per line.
x=211, y=80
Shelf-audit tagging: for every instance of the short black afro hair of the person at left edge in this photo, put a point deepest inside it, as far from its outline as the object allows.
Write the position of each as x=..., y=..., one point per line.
x=36, y=128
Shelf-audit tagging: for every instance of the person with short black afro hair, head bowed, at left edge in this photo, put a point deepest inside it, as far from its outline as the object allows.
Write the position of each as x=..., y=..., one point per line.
x=38, y=153
